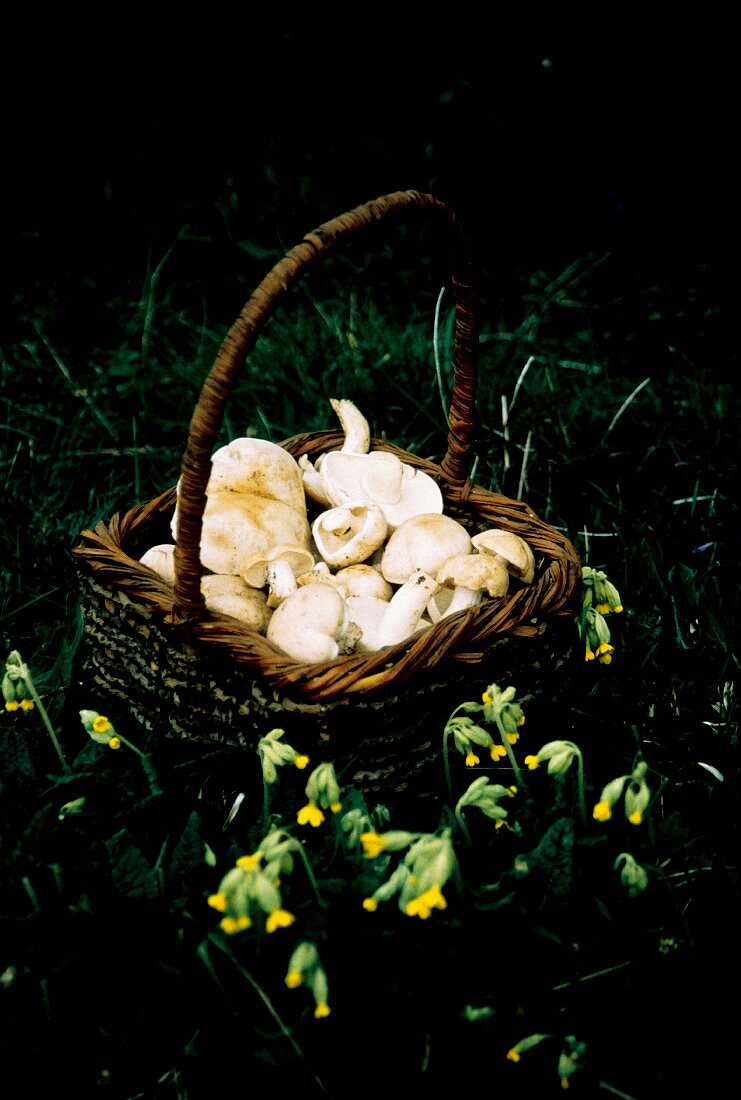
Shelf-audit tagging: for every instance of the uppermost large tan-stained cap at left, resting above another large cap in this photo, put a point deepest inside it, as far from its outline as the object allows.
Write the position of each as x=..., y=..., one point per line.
x=260, y=468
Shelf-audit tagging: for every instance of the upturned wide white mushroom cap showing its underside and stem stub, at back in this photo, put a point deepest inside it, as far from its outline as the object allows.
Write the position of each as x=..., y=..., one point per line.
x=382, y=479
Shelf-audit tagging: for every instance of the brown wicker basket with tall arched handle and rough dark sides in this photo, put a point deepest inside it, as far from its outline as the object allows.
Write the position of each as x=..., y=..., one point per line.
x=158, y=655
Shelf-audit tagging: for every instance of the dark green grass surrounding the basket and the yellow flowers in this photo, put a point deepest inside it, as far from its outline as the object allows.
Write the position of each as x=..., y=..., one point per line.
x=115, y=978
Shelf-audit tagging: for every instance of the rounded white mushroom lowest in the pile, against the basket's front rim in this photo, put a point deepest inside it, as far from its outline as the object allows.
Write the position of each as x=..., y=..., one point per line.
x=314, y=625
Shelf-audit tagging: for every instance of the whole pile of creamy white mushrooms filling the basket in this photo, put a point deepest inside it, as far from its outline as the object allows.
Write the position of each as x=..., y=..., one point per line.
x=379, y=563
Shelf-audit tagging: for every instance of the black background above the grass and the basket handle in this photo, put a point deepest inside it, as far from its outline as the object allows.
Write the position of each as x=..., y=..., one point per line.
x=550, y=142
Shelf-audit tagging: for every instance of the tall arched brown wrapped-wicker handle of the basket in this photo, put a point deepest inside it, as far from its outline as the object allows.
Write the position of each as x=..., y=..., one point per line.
x=244, y=336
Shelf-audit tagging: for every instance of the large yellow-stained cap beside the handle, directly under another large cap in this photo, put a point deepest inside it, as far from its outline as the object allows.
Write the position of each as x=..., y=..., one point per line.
x=236, y=524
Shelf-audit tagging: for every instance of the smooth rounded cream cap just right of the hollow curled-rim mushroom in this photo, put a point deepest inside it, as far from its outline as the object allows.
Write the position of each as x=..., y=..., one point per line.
x=425, y=543
